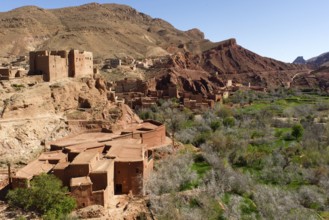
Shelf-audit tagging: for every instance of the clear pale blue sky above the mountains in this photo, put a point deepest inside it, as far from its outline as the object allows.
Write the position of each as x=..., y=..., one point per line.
x=281, y=29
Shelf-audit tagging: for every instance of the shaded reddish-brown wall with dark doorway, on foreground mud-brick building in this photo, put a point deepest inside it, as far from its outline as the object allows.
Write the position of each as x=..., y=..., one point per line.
x=129, y=176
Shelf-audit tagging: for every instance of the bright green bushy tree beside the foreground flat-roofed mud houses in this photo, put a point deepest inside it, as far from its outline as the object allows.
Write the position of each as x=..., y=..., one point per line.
x=46, y=196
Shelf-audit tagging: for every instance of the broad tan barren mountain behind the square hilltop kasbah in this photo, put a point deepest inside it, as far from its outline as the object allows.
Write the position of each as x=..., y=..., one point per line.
x=109, y=30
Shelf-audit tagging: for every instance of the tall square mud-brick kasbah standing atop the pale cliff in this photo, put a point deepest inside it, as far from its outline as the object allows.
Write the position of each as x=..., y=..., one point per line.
x=54, y=65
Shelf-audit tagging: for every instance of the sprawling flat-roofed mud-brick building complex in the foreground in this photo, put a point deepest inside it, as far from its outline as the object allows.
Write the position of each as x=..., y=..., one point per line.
x=97, y=166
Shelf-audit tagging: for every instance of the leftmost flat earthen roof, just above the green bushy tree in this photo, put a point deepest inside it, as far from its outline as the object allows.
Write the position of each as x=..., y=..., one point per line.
x=34, y=168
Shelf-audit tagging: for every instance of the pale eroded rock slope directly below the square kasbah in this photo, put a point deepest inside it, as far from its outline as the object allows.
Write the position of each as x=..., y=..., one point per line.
x=33, y=115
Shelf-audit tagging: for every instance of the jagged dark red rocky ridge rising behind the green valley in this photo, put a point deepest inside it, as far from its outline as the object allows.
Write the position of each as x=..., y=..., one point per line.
x=208, y=71
